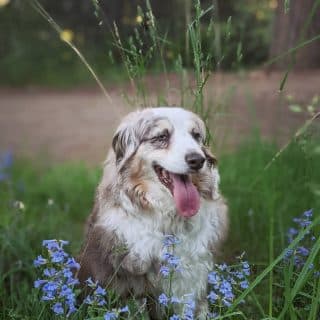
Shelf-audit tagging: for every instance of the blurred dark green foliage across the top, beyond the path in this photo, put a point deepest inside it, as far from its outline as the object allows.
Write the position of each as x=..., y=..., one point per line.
x=39, y=56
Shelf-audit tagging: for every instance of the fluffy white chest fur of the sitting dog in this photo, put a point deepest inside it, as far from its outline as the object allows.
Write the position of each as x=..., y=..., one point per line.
x=144, y=238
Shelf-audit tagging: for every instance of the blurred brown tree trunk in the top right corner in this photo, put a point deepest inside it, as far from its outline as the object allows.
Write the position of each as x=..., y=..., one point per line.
x=292, y=28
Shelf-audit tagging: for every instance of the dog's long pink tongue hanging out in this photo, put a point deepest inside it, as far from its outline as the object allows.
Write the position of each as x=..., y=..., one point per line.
x=185, y=194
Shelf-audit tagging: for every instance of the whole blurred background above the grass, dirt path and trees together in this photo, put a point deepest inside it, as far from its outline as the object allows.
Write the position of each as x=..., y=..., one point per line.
x=51, y=105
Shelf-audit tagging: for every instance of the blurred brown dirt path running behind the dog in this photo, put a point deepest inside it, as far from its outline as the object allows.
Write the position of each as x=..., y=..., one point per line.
x=78, y=124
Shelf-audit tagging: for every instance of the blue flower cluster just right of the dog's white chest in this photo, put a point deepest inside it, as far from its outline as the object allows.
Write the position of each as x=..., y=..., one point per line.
x=225, y=281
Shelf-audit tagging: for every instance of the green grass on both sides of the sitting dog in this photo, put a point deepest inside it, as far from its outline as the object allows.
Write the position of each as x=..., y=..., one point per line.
x=58, y=198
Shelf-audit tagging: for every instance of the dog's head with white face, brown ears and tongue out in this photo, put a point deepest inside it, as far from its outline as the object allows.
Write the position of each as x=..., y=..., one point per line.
x=160, y=156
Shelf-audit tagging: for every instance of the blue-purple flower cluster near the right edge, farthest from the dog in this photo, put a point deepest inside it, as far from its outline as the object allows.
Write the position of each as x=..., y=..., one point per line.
x=300, y=254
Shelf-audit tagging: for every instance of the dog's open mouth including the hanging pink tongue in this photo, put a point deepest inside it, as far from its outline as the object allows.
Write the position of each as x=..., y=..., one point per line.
x=184, y=192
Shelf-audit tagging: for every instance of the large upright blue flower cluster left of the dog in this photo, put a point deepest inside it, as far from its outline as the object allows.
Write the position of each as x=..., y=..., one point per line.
x=58, y=281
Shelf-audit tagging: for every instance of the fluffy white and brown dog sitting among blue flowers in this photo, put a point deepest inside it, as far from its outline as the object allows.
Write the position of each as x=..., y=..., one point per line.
x=159, y=179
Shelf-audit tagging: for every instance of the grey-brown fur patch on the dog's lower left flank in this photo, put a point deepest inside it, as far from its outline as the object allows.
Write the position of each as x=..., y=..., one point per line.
x=106, y=258
